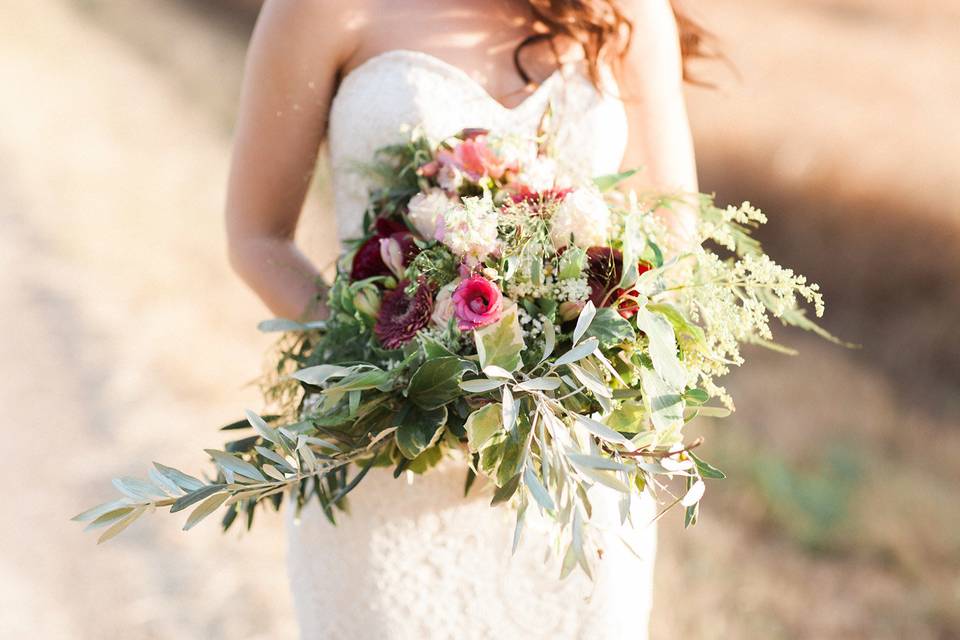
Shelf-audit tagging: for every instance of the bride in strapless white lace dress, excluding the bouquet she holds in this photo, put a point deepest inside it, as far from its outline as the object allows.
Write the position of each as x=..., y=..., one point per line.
x=418, y=559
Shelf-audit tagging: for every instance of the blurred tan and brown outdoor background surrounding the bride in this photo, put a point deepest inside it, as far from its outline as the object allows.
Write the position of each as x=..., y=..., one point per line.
x=125, y=338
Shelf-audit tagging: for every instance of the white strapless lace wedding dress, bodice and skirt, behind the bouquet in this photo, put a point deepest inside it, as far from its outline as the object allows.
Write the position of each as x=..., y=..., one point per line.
x=415, y=560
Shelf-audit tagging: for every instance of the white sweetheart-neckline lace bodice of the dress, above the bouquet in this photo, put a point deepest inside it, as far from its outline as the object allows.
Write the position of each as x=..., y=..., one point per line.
x=402, y=88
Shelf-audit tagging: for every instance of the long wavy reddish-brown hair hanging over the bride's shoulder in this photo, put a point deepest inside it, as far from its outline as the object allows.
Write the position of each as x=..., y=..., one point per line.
x=603, y=31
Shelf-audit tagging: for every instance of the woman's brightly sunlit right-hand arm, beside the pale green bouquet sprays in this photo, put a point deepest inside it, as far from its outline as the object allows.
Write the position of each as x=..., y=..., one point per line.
x=651, y=81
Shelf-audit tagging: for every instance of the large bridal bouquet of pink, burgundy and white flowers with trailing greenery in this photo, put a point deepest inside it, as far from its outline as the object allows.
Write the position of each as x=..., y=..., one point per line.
x=500, y=310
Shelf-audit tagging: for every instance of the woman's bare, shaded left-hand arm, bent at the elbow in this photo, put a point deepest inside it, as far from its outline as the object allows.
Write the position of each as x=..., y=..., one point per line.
x=290, y=77
